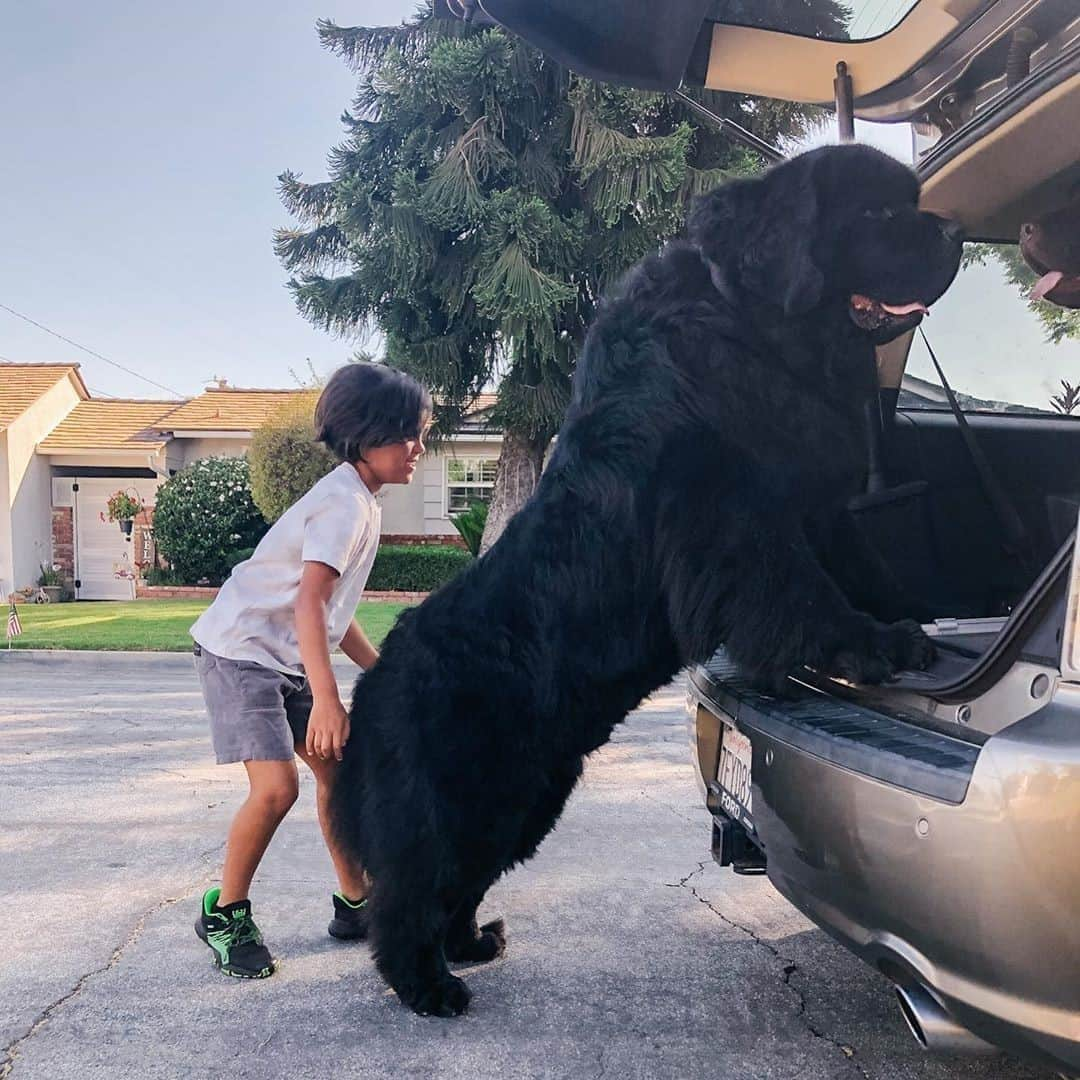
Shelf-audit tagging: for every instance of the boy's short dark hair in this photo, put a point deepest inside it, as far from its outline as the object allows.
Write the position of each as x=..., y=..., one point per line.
x=369, y=406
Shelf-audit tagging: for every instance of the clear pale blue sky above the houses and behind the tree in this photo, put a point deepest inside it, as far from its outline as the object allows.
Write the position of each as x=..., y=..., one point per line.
x=142, y=147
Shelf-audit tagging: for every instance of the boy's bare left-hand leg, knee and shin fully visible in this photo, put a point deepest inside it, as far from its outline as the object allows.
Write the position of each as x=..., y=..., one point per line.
x=274, y=790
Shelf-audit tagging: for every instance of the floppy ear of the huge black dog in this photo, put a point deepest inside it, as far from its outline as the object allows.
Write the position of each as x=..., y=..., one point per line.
x=763, y=231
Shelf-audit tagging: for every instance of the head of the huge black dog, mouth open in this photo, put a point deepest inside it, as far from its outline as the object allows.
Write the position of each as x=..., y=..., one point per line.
x=835, y=226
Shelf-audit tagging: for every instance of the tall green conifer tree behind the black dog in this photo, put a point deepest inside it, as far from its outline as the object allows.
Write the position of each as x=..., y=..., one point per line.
x=483, y=200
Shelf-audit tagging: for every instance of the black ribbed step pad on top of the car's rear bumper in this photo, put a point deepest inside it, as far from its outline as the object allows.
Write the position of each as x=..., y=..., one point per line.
x=870, y=742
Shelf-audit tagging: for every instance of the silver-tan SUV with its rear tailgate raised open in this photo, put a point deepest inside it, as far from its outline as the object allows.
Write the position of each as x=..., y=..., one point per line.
x=931, y=826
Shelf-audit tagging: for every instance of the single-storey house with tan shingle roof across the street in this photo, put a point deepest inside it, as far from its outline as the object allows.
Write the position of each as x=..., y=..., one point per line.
x=63, y=453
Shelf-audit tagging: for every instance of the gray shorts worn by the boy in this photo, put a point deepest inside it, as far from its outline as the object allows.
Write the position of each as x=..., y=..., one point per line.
x=256, y=714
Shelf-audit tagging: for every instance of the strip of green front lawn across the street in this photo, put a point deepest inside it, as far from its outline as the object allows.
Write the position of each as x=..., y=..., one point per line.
x=143, y=625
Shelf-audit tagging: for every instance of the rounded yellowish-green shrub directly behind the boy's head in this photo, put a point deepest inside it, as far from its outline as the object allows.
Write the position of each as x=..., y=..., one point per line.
x=286, y=460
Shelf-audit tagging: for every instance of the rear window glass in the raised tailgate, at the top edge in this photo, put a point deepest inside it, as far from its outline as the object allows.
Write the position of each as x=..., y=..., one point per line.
x=854, y=21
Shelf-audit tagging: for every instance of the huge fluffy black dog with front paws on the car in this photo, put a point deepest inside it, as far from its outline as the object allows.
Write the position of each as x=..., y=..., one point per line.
x=695, y=497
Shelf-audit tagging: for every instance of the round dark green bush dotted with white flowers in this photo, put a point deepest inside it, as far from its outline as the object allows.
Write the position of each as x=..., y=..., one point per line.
x=205, y=517
